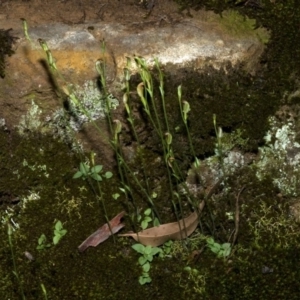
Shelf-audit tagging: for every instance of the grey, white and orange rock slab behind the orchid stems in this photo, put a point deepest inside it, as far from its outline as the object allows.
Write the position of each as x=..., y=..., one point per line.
x=189, y=42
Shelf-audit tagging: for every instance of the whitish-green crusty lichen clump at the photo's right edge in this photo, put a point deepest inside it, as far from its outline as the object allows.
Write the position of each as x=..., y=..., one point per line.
x=280, y=158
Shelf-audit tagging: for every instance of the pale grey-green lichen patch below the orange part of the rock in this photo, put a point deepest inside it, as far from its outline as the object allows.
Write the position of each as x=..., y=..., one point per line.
x=63, y=122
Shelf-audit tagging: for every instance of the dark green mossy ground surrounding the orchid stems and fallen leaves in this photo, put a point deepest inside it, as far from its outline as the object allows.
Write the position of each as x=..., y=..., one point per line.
x=265, y=260
